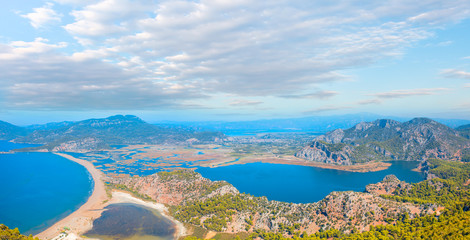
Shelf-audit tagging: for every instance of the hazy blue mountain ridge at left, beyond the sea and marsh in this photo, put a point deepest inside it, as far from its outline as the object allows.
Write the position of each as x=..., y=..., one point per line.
x=103, y=133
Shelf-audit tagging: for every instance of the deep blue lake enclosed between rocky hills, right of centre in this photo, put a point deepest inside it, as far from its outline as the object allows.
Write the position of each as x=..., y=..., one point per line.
x=302, y=184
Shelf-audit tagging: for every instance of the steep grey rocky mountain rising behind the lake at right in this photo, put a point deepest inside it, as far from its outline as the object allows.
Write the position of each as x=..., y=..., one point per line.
x=384, y=139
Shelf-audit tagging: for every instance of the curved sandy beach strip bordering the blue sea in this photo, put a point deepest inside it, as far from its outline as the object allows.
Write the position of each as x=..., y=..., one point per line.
x=80, y=220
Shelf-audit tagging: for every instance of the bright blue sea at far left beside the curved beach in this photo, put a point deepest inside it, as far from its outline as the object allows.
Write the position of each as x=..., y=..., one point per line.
x=38, y=189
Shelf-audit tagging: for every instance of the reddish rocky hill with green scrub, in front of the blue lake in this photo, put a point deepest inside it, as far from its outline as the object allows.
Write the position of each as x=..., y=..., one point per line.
x=218, y=206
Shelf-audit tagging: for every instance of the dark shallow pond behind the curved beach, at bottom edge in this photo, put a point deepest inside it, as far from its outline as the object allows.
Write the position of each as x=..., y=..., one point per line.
x=127, y=221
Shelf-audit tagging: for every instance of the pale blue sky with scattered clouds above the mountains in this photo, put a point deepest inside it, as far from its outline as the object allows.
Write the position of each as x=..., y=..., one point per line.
x=233, y=60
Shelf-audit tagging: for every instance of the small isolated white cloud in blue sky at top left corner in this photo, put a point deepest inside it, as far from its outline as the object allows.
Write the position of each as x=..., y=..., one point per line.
x=40, y=17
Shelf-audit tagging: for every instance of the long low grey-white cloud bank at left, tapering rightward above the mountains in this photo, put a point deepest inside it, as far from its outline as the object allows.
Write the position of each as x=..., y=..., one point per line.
x=81, y=82
